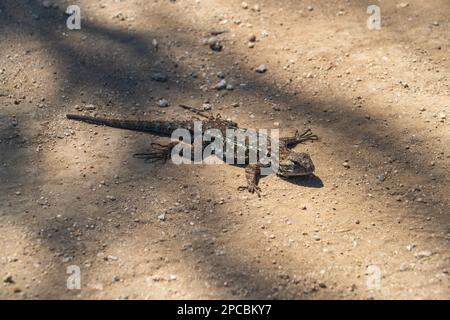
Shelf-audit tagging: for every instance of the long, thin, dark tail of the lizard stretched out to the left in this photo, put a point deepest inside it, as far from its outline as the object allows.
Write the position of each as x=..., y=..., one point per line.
x=136, y=125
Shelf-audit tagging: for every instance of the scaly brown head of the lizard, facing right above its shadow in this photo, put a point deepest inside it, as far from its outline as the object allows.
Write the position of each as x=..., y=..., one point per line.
x=296, y=164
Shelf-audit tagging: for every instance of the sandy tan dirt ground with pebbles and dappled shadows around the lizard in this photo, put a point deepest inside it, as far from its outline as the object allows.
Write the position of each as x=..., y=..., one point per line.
x=72, y=194
